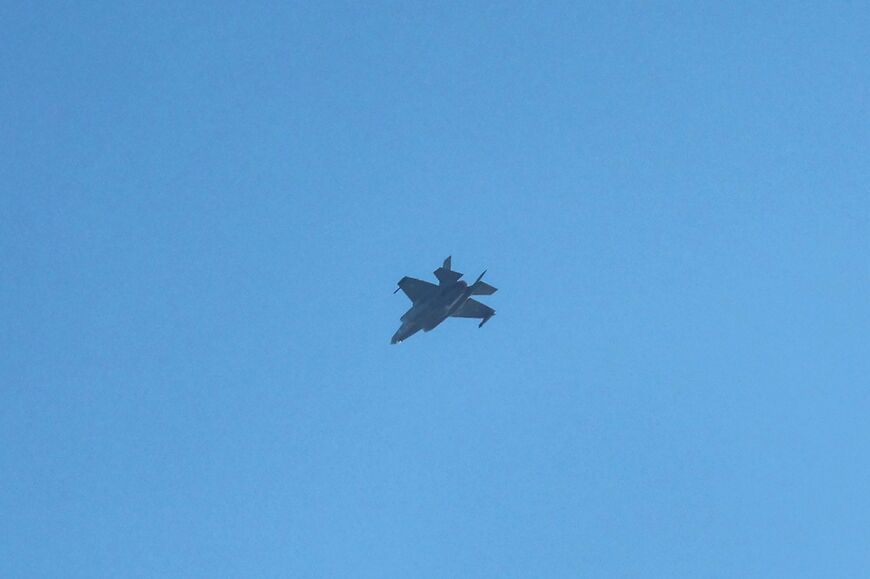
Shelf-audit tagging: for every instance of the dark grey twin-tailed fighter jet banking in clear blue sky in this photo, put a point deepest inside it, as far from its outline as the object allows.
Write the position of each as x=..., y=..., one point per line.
x=432, y=304
